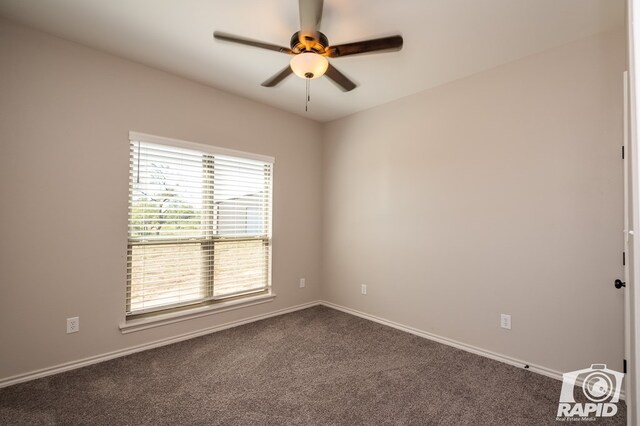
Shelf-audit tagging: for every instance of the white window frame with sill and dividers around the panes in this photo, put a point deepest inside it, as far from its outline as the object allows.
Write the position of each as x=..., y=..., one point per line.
x=207, y=242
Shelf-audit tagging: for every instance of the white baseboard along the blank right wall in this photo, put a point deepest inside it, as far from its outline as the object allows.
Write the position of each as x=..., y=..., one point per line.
x=554, y=374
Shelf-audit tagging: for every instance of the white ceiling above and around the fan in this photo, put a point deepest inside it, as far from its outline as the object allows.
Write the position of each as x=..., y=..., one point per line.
x=444, y=40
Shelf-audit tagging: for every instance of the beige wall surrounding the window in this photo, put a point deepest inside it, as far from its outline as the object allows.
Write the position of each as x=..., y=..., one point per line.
x=65, y=114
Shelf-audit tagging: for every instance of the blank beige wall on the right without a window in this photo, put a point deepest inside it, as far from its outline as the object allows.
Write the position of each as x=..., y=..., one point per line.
x=498, y=193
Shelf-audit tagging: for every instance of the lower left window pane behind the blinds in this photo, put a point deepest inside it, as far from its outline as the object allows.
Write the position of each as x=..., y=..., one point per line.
x=166, y=274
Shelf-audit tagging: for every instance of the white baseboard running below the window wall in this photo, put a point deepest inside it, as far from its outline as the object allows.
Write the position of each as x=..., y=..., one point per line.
x=25, y=377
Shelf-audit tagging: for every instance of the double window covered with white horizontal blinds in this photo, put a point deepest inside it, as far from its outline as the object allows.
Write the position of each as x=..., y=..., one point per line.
x=199, y=224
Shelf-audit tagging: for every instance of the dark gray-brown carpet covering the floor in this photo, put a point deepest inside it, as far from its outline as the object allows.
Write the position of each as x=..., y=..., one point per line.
x=316, y=366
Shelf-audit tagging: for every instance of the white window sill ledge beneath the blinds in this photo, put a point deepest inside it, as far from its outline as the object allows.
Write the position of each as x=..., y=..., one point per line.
x=173, y=317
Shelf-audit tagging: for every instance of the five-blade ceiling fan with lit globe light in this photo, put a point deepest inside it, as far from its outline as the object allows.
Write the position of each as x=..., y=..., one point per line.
x=310, y=49
